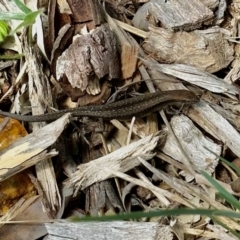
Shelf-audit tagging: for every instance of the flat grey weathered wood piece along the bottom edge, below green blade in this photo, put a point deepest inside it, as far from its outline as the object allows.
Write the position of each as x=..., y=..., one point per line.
x=109, y=230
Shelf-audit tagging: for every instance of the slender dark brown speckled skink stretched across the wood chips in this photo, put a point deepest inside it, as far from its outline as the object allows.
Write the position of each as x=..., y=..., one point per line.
x=124, y=109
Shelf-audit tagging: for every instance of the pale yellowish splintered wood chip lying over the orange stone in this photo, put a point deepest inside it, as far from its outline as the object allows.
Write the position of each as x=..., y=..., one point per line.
x=30, y=149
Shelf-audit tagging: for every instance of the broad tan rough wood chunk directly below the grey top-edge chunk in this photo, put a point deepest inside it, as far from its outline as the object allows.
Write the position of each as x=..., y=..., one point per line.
x=207, y=50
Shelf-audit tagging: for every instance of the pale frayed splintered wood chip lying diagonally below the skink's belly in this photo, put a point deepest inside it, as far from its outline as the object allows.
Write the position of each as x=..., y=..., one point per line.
x=121, y=160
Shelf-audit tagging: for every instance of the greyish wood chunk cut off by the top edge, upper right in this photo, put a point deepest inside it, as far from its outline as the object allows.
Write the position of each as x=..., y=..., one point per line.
x=173, y=15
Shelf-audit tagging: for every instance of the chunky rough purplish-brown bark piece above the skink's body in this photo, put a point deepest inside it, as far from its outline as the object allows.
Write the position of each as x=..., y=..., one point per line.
x=86, y=61
